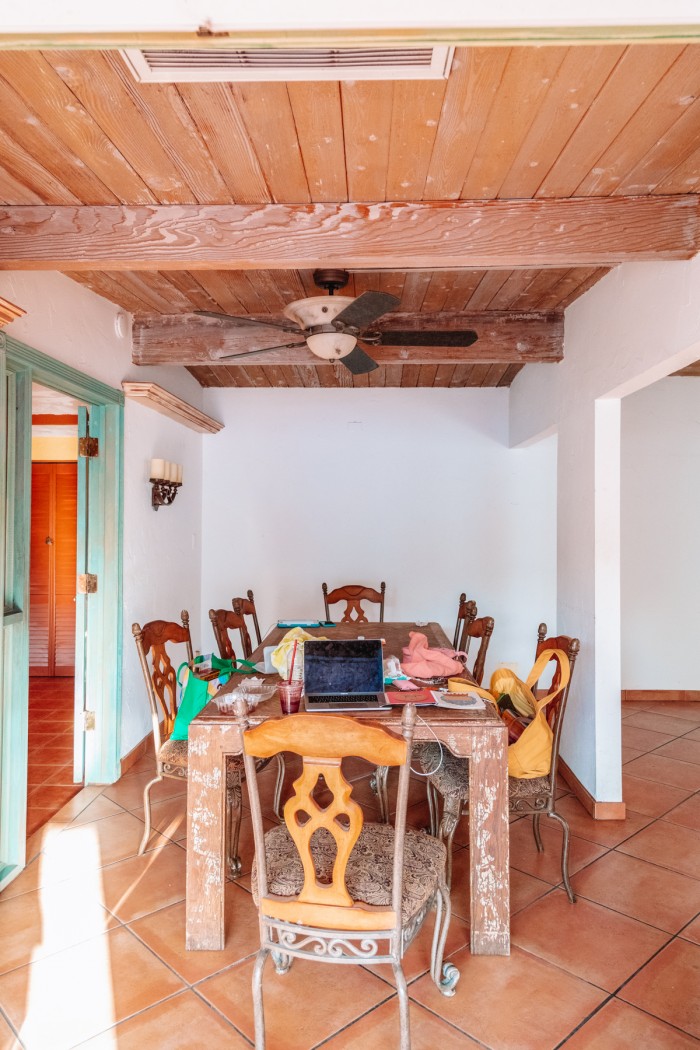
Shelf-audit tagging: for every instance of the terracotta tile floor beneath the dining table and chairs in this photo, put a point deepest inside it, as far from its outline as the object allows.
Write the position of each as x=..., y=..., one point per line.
x=93, y=954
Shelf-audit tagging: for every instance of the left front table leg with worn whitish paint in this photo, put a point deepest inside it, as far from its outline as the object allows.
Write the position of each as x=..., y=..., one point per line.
x=206, y=833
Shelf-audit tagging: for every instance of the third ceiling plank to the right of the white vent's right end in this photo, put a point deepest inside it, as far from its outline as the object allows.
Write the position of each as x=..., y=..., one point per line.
x=578, y=82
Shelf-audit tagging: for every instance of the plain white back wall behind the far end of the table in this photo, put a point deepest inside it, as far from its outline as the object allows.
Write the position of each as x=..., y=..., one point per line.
x=416, y=488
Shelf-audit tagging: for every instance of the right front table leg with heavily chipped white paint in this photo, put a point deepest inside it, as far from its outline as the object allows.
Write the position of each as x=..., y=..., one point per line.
x=489, y=845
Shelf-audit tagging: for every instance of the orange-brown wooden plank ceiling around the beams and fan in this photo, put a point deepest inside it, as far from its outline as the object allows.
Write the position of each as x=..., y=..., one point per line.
x=511, y=124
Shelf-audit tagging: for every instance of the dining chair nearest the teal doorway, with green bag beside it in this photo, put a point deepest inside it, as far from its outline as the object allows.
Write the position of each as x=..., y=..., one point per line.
x=172, y=757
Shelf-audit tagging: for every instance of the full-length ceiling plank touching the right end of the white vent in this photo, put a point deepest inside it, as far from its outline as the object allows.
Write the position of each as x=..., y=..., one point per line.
x=472, y=89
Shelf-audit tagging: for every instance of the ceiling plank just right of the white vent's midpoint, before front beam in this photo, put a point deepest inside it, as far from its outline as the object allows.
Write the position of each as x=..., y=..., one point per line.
x=319, y=119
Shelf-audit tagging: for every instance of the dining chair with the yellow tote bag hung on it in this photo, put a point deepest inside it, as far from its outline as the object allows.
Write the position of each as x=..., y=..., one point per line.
x=449, y=776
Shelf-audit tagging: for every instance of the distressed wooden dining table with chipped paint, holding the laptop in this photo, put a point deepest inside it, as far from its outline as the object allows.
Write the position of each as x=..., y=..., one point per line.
x=477, y=736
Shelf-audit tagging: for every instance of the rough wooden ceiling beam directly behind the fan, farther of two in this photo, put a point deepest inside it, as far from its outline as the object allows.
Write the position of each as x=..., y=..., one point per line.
x=189, y=340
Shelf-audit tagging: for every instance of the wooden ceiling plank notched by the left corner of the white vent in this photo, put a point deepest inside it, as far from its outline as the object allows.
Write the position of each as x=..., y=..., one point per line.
x=172, y=123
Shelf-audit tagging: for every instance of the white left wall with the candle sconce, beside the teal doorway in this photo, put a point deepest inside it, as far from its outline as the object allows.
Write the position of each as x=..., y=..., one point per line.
x=162, y=551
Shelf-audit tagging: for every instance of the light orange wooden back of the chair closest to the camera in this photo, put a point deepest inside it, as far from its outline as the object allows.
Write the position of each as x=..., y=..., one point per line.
x=323, y=741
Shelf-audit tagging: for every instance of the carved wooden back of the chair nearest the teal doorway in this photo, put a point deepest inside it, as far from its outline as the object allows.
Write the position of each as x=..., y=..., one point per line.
x=160, y=674
